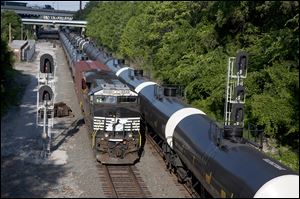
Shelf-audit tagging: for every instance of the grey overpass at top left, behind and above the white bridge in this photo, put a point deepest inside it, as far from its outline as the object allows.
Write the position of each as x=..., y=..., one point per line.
x=48, y=13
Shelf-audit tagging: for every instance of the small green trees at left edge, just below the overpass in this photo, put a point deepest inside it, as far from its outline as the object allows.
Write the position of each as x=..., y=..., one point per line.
x=10, y=17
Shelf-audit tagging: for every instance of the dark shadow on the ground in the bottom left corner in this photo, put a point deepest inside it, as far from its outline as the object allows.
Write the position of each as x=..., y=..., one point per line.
x=20, y=178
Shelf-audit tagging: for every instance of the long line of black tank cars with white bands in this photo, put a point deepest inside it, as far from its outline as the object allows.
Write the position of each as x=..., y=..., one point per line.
x=194, y=145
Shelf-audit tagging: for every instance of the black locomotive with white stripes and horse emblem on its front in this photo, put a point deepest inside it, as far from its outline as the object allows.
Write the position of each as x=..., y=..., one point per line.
x=116, y=120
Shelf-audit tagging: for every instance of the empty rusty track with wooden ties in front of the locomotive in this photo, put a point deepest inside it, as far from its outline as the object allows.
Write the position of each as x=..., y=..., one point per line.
x=122, y=181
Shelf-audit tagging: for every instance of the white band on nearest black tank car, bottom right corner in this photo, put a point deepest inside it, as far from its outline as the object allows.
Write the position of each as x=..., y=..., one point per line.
x=280, y=187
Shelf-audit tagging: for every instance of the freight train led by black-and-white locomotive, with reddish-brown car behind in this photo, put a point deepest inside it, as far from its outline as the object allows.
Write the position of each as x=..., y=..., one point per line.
x=110, y=108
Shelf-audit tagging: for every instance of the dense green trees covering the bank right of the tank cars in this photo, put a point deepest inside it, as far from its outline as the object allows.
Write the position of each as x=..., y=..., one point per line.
x=188, y=43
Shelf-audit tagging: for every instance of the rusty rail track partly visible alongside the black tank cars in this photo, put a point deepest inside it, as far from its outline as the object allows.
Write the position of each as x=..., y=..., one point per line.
x=156, y=144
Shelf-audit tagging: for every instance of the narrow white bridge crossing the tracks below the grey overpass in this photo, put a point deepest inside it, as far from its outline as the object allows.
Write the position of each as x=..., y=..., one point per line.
x=55, y=22
